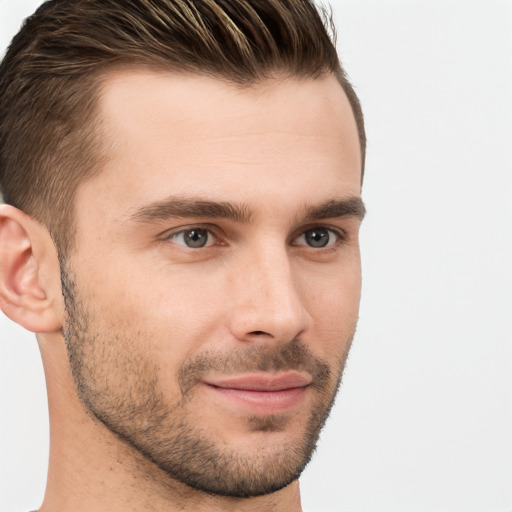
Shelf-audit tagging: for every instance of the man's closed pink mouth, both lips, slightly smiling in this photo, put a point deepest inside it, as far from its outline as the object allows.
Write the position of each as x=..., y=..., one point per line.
x=261, y=394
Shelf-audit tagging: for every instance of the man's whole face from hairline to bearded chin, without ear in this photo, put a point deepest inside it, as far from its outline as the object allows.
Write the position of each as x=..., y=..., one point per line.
x=213, y=292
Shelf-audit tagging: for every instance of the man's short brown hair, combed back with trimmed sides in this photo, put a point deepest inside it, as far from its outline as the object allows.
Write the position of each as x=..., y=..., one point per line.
x=49, y=78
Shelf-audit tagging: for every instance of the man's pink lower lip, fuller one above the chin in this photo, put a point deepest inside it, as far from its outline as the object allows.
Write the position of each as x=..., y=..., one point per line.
x=262, y=402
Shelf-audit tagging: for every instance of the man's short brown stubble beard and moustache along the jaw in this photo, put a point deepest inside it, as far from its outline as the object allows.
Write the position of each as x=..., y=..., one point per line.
x=133, y=407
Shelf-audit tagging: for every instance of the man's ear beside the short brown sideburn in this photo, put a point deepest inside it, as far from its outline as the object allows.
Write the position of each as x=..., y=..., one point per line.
x=30, y=291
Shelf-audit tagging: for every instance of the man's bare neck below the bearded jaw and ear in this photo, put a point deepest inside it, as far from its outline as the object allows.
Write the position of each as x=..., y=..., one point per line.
x=90, y=468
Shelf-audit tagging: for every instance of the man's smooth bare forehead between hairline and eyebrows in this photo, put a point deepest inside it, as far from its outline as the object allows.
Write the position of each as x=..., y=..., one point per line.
x=174, y=134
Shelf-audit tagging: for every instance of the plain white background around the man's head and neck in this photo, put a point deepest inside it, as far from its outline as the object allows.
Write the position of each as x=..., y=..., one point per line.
x=424, y=418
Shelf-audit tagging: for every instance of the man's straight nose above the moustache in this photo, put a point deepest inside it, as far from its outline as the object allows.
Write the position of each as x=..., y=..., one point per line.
x=267, y=300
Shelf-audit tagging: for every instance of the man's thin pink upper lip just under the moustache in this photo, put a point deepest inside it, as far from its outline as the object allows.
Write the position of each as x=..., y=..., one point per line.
x=262, y=381
